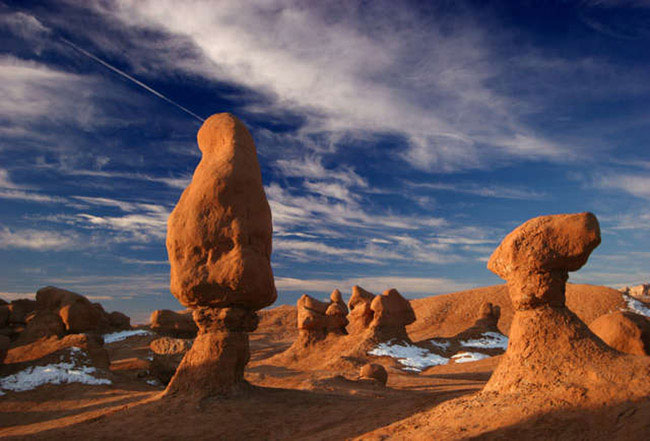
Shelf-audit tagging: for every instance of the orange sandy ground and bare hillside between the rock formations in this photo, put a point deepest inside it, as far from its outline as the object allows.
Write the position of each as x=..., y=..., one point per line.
x=290, y=403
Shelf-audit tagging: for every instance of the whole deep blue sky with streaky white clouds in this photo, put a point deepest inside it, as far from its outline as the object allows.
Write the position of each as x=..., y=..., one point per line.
x=398, y=142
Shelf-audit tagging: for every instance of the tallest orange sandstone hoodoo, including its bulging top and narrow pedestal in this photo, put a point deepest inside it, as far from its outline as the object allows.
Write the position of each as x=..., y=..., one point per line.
x=219, y=246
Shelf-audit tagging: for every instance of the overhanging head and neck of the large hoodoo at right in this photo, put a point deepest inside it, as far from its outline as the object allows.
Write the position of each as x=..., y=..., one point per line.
x=536, y=257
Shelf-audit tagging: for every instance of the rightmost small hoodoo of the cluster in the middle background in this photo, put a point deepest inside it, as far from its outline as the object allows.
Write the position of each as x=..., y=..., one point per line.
x=391, y=314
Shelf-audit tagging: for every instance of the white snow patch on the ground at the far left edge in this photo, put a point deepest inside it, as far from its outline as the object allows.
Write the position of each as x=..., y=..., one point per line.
x=73, y=371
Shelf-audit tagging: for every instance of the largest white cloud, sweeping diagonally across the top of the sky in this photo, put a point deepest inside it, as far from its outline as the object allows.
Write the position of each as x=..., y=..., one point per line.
x=383, y=70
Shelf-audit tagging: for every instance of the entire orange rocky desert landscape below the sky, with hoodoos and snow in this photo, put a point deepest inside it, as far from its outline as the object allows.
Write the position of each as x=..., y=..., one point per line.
x=536, y=358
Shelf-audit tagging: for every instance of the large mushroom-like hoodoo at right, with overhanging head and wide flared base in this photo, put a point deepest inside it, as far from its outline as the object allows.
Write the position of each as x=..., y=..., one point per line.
x=550, y=349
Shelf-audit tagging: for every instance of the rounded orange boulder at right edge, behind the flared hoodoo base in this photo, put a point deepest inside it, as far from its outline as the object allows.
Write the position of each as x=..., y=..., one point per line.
x=624, y=331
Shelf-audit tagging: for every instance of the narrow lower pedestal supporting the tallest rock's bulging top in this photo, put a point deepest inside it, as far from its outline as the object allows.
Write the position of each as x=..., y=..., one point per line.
x=214, y=366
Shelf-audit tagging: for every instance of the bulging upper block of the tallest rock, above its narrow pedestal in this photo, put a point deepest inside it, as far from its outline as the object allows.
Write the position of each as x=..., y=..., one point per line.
x=219, y=234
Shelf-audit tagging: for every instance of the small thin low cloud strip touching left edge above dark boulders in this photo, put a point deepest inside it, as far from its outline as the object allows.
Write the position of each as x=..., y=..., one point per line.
x=37, y=240
